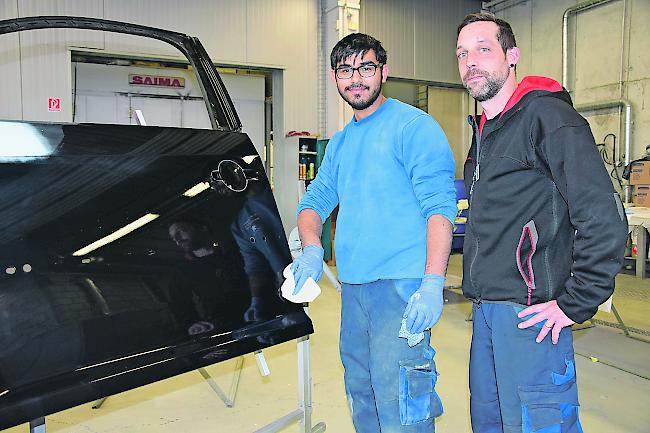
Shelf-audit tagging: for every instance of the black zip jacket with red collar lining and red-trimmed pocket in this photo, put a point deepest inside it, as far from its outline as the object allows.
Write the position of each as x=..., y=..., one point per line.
x=544, y=220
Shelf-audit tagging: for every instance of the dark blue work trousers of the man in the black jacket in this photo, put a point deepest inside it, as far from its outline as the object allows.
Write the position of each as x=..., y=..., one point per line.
x=518, y=385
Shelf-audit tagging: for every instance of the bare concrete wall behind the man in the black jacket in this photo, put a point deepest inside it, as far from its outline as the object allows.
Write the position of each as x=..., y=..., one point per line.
x=608, y=57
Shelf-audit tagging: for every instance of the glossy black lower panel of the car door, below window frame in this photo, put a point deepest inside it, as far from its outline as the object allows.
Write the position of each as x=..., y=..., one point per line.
x=168, y=297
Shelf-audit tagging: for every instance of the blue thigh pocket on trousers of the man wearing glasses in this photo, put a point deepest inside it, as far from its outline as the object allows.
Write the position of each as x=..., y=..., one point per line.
x=418, y=400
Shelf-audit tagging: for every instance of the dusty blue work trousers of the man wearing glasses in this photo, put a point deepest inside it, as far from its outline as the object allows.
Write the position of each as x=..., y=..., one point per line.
x=389, y=385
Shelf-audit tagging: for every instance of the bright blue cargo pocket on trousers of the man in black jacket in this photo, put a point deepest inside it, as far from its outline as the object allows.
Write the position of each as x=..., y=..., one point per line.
x=545, y=407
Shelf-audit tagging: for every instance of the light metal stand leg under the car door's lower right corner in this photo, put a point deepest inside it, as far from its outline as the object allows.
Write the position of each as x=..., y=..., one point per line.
x=302, y=415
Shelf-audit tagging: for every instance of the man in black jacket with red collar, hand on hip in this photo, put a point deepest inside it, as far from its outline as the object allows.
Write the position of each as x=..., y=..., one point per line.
x=545, y=237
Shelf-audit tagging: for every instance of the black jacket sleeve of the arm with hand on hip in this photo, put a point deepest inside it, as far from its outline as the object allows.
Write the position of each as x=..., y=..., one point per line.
x=596, y=213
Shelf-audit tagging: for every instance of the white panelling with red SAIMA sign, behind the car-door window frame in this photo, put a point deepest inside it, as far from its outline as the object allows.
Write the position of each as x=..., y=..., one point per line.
x=166, y=97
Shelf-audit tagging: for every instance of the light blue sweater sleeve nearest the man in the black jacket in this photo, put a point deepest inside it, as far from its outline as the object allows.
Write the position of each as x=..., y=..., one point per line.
x=430, y=166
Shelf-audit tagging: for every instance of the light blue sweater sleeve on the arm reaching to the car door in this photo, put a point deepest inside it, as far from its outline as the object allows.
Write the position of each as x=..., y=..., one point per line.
x=322, y=195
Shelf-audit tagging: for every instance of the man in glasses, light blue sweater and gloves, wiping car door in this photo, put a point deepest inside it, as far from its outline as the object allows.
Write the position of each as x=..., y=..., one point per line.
x=391, y=172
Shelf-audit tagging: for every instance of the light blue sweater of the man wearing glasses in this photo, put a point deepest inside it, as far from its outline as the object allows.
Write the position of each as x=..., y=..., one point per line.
x=389, y=172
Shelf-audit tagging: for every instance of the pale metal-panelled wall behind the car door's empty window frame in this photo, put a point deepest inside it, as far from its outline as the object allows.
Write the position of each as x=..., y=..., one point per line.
x=279, y=33
